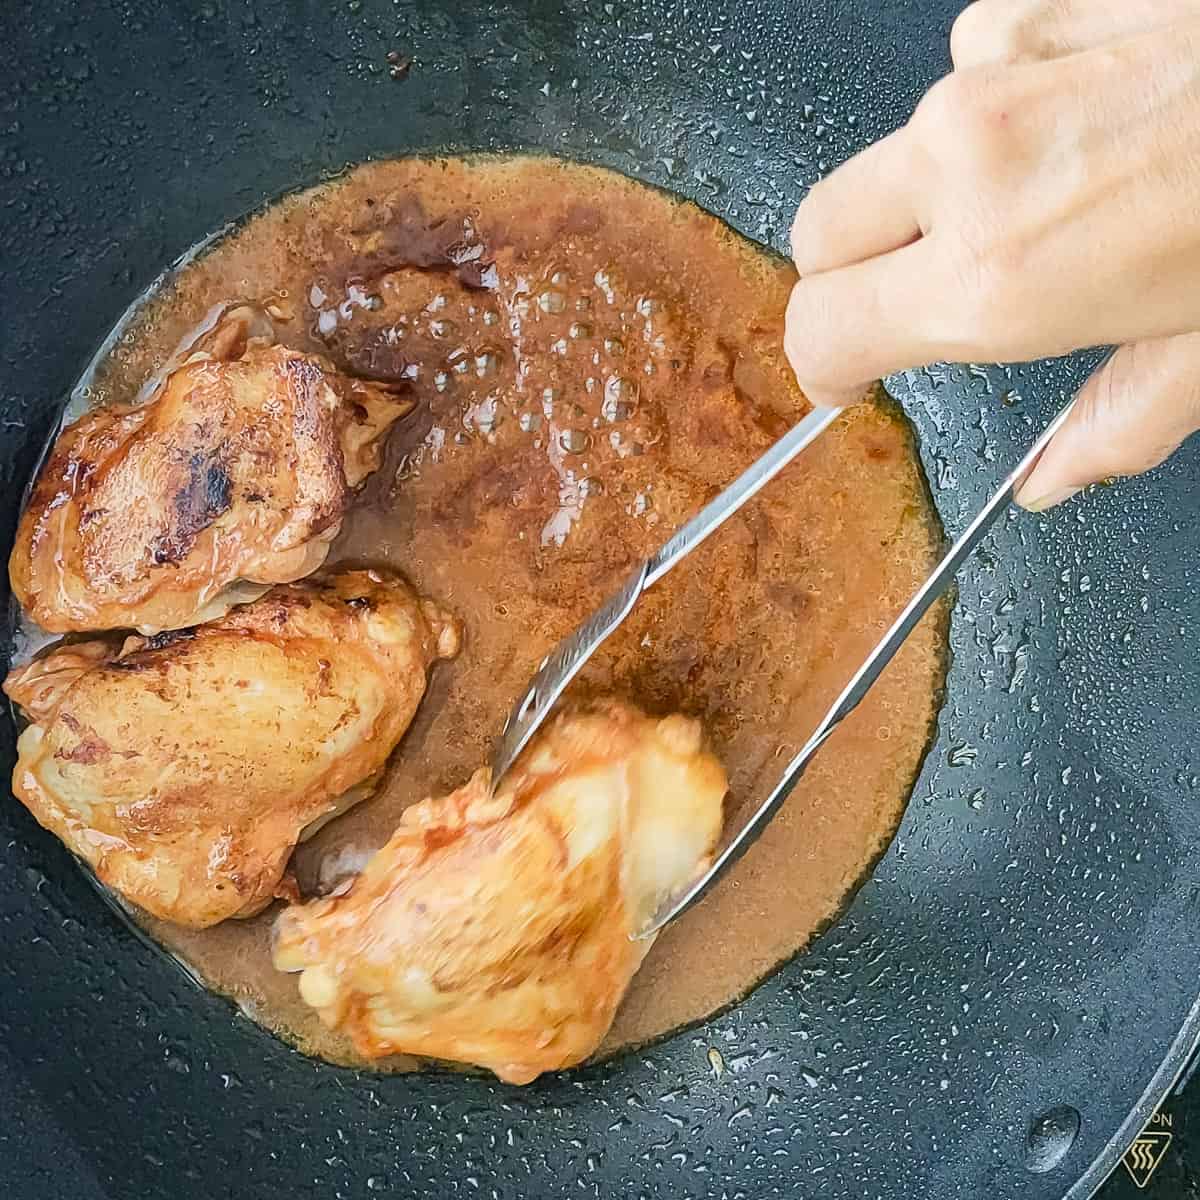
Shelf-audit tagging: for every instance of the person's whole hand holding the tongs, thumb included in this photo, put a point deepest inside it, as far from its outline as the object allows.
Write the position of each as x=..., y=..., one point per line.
x=1043, y=199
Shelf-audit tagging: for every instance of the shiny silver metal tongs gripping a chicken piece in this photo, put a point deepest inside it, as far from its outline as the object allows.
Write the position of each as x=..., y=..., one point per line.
x=560, y=668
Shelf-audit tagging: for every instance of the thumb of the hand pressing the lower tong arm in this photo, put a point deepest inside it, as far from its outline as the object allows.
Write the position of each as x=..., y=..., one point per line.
x=1131, y=416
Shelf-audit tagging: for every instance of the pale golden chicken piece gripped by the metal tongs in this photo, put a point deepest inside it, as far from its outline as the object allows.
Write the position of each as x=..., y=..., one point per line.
x=495, y=931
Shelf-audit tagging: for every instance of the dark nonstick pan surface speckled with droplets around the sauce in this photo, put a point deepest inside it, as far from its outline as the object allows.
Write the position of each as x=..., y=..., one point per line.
x=1029, y=941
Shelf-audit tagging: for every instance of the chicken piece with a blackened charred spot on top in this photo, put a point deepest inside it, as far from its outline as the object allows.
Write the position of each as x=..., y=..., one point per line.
x=237, y=472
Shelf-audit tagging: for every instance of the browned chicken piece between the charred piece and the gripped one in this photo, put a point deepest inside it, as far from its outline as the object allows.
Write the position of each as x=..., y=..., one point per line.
x=185, y=767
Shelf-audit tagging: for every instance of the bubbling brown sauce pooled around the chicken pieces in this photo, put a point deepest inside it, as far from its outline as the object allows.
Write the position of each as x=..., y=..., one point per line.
x=593, y=361
